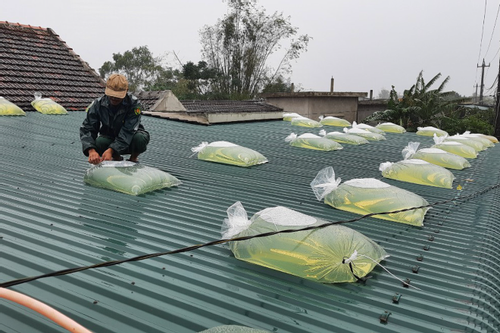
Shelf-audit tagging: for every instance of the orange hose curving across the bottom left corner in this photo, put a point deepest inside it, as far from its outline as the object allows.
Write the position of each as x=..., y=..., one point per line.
x=44, y=310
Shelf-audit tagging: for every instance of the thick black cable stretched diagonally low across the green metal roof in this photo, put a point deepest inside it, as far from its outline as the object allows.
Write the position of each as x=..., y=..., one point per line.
x=236, y=239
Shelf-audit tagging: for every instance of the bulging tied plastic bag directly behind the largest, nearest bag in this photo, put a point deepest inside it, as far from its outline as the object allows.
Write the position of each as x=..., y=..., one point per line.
x=369, y=195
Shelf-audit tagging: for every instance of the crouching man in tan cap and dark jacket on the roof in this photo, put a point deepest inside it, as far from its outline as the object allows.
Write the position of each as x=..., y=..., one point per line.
x=113, y=125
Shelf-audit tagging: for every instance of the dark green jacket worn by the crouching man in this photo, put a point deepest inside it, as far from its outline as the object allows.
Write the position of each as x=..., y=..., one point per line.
x=121, y=126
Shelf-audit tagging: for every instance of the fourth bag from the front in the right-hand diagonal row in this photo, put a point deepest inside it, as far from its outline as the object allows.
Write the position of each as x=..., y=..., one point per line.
x=435, y=156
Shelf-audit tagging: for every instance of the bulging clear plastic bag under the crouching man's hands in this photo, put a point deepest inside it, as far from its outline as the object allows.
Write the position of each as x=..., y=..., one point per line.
x=128, y=177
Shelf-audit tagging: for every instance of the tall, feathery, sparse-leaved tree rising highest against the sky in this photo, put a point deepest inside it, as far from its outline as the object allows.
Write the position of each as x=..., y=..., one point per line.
x=239, y=47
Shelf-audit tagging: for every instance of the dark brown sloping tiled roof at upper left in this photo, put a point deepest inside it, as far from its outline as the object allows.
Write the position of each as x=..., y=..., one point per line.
x=35, y=59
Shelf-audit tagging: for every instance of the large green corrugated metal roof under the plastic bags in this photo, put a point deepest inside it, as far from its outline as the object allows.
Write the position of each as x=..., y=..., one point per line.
x=50, y=220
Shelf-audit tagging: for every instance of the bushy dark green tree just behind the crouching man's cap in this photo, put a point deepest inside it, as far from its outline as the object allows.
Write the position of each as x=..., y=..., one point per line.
x=142, y=69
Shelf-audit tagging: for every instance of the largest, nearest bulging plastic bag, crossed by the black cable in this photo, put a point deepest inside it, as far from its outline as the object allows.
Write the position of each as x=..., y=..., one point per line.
x=333, y=254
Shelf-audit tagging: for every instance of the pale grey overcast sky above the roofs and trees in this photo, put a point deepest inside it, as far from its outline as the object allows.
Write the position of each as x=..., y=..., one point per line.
x=363, y=44
